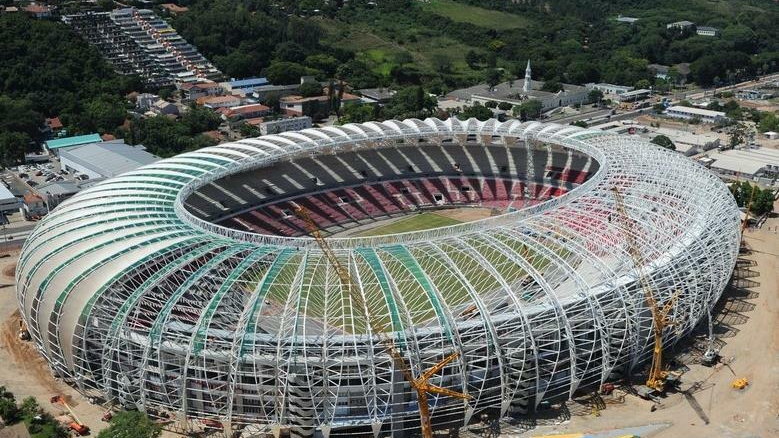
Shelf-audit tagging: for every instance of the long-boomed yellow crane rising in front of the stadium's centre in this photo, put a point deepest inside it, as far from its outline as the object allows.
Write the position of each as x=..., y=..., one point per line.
x=420, y=384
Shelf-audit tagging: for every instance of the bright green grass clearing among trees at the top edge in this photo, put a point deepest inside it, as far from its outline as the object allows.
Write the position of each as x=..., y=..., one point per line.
x=475, y=15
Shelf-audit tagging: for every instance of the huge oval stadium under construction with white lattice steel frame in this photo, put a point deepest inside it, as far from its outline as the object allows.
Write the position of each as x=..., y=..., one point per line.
x=191, y=290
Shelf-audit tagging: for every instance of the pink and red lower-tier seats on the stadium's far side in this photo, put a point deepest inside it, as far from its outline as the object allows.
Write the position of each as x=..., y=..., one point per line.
x=331, y=209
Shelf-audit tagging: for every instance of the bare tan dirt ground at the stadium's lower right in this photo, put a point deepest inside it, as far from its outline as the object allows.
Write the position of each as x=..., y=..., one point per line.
x=747, y=328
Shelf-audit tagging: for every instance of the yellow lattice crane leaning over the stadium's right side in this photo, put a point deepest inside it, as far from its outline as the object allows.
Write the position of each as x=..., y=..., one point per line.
x=657, y=374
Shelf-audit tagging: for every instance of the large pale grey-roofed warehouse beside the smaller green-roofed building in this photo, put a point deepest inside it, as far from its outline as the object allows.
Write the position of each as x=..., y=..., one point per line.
x=106, y=159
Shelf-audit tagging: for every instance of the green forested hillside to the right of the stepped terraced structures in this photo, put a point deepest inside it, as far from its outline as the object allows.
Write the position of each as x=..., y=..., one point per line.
x=445, y=43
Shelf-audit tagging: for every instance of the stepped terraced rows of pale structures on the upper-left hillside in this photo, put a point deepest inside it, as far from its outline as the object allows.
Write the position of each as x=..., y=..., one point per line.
x=137, y=41
